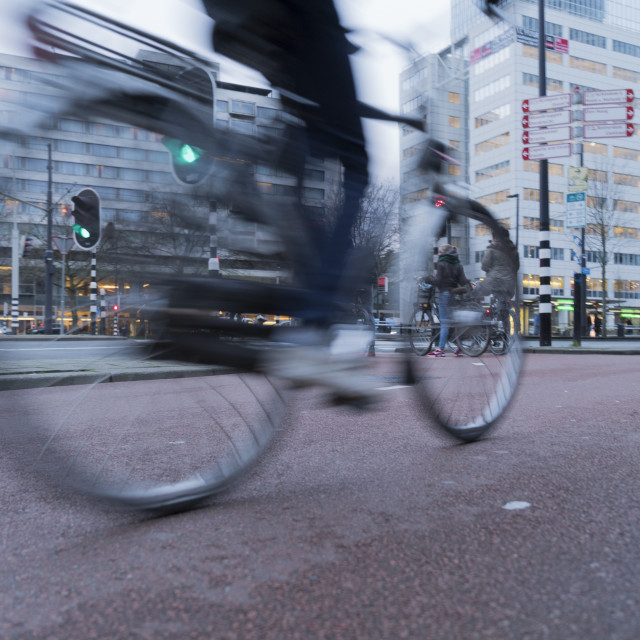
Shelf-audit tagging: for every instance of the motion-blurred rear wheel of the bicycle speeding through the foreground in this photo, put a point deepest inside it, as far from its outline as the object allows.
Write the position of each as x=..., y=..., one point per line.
x=176, y=414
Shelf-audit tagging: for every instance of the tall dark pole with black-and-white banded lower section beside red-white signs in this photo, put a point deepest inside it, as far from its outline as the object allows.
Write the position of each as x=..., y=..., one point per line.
x=544, y=306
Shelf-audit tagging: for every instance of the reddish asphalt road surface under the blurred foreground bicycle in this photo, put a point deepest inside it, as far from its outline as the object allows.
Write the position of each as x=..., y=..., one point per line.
x=364, y=525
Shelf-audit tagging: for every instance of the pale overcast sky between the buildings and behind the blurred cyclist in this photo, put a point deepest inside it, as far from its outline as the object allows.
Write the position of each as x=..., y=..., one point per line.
x=422, y=25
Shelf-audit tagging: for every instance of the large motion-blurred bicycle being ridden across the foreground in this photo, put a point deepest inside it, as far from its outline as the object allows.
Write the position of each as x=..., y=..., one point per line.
x=170, y=444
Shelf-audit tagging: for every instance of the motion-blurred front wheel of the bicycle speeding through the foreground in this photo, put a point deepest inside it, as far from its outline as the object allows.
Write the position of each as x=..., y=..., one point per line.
x=464, y=397
